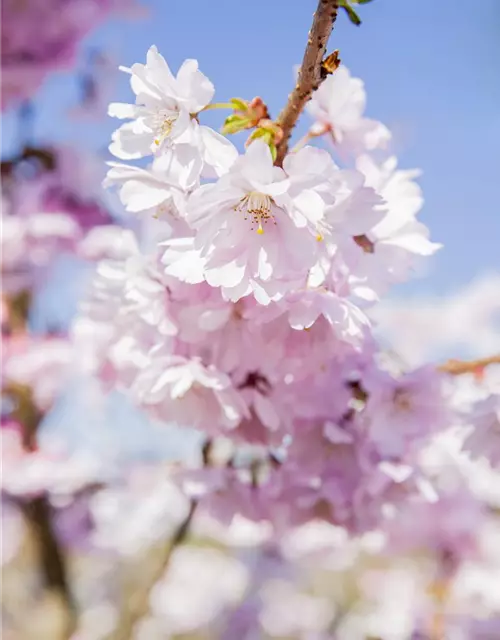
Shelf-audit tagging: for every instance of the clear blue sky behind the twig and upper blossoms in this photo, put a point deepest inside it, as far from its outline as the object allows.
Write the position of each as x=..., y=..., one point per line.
x=432, y=72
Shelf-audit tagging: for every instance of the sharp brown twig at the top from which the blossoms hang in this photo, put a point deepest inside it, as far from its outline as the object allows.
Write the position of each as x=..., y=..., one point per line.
x=310, y=74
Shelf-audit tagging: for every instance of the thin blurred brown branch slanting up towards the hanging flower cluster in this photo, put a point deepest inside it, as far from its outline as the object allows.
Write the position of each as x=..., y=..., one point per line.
x=137, y=607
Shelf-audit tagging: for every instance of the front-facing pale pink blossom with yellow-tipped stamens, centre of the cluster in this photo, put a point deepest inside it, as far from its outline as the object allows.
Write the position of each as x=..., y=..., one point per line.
x=254, y=235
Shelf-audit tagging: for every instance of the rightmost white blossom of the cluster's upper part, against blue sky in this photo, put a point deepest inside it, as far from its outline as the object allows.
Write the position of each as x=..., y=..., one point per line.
x=377, y=255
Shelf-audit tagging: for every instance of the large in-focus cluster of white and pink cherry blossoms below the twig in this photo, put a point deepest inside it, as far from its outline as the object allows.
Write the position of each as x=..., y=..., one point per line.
x=246, y=319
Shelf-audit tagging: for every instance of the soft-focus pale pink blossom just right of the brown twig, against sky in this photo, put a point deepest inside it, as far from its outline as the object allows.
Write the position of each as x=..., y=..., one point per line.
x=338, y=107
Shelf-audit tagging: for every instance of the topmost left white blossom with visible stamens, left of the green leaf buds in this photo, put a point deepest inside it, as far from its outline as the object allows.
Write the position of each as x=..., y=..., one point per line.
x=165, y=114
